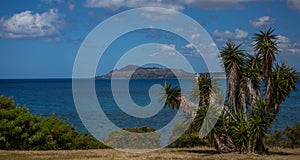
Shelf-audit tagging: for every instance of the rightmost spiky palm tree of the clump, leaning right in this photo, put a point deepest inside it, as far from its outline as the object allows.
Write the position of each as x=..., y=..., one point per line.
x=285, y=79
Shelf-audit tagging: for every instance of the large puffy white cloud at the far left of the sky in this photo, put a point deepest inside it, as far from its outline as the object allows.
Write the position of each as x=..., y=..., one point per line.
x=29, y=25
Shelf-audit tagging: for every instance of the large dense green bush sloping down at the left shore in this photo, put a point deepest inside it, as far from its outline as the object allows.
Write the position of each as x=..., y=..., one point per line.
x=22, y=131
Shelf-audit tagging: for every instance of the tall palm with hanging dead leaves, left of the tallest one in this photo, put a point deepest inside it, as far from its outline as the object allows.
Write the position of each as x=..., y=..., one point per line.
x=233, y=62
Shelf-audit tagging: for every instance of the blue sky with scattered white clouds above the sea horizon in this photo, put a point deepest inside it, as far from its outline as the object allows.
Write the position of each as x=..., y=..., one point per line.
x=41, y=38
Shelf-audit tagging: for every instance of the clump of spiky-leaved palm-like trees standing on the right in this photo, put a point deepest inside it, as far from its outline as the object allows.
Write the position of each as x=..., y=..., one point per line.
x=250, y=107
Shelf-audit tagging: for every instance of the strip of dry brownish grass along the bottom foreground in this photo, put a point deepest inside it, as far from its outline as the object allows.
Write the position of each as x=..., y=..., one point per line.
x=178, y=153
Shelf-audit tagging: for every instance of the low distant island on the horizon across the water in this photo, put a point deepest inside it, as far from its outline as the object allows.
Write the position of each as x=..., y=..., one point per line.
x=150, y=73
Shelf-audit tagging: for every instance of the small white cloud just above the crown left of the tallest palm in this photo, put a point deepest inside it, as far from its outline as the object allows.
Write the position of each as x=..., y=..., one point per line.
x=238, y=34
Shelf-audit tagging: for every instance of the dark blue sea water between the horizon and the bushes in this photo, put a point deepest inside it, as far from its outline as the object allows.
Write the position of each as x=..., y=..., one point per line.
x=47, y=96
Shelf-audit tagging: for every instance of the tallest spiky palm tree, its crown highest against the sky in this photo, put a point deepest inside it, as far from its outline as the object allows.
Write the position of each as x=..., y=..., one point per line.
x=266, y=47
